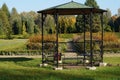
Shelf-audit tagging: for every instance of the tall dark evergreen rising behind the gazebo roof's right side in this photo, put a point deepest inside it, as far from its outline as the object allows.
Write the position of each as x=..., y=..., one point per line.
x=95, y=19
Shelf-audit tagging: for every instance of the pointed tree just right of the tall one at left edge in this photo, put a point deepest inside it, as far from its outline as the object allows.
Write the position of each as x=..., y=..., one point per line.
x=16, y=22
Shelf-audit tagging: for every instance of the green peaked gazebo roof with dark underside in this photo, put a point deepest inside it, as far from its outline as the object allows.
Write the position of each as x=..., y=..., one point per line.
x=71, y=8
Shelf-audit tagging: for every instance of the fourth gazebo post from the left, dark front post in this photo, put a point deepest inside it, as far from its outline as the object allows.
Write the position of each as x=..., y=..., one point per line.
x=91, y=42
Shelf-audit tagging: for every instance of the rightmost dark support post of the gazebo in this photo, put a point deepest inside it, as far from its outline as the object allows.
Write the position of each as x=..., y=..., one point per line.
x=101, y=46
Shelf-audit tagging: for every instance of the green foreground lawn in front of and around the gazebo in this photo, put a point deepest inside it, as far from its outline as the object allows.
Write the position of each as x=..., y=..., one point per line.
x=27, y=69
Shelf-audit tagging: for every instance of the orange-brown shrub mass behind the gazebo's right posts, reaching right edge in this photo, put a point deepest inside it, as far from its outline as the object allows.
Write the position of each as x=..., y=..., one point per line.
x=111, y=40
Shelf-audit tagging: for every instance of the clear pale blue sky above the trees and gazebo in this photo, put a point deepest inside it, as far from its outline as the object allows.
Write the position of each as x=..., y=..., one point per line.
x=36, y=5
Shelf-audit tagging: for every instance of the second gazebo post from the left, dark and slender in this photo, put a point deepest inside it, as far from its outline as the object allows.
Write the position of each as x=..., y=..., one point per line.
x=57, y=30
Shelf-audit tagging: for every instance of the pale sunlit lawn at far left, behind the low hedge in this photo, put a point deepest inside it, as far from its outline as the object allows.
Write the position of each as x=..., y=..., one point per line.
x=14, y=44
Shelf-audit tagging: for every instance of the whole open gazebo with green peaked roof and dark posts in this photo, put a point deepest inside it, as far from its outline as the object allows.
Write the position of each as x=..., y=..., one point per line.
x=73, y=8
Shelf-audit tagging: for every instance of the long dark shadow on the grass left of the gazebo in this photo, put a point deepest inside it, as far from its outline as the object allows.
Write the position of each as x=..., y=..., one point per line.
x=16, y=59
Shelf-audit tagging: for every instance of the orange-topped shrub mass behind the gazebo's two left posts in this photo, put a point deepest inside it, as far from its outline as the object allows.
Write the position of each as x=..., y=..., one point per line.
x=34, y=42
